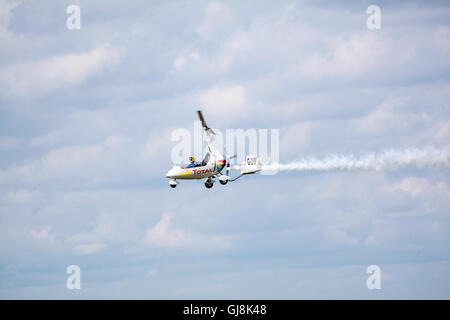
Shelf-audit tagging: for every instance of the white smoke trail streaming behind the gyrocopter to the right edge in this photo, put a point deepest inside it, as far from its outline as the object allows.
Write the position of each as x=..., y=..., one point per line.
x=384, y=160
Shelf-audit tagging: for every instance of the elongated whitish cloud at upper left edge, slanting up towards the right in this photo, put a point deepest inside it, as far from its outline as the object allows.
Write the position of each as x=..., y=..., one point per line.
x=41, y=77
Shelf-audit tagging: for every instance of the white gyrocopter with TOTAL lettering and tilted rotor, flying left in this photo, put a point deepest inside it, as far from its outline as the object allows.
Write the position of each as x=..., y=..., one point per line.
x=212, y=165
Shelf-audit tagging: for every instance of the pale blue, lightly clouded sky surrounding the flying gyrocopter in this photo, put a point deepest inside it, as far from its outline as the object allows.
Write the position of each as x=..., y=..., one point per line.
x=86, y=118
